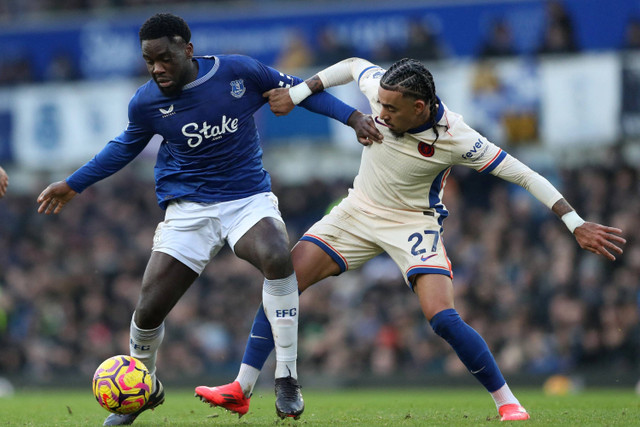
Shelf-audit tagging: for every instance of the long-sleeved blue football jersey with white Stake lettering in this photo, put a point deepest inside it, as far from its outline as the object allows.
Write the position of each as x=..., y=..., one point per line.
x=211, y=149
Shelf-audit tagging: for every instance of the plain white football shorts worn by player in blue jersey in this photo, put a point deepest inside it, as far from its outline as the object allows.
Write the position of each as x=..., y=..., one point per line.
x=194, y=233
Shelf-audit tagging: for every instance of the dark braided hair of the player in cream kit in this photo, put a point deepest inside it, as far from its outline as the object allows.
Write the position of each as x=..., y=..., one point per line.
x=410, y=77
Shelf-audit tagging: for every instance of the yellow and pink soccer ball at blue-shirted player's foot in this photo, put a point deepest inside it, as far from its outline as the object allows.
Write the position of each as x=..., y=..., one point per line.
x=122, y=384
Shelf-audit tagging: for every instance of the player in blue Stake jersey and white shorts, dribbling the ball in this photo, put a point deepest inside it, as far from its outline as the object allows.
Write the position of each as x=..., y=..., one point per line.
x=211, y=181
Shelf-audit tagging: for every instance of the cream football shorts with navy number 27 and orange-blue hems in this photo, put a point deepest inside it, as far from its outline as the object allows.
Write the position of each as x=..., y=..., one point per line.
x=353, y=234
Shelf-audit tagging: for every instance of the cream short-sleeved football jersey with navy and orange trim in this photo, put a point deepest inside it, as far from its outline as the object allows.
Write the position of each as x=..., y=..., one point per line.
x=409, y=172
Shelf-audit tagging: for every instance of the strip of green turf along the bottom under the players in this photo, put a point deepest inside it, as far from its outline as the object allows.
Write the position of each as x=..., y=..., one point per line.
x=410, y=407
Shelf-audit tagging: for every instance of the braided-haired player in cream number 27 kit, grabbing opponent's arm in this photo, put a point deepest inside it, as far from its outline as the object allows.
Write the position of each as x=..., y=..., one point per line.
x=395, y=206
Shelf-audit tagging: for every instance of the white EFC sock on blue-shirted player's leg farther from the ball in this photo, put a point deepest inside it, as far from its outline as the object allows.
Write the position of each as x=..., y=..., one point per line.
x=281, y=305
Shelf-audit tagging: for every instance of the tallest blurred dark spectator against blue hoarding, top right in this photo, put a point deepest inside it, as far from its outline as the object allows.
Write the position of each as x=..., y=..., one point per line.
x=559, y=36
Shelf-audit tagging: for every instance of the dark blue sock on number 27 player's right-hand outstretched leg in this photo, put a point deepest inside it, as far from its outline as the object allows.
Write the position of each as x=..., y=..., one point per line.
x=470, y=348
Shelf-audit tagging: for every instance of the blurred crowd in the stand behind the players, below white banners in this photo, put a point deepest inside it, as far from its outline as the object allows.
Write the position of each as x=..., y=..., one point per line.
x=69, y=284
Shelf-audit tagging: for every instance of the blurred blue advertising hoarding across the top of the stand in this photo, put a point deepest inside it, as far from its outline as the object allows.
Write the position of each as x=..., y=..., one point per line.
x=108, y=45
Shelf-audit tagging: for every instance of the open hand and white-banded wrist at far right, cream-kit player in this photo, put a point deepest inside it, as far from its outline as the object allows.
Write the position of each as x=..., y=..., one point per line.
x=597, y=238
